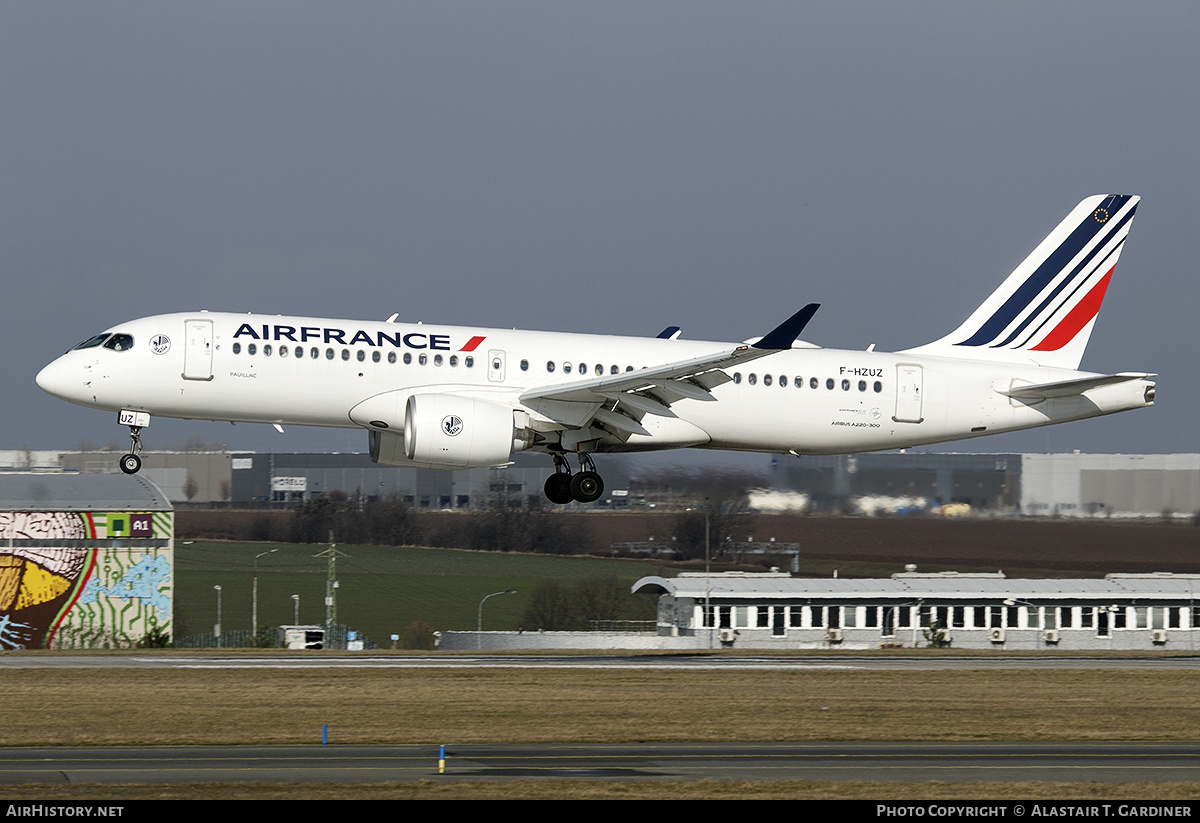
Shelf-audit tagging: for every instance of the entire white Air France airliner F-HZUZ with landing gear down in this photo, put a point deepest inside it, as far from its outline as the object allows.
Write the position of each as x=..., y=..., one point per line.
x=459, y=398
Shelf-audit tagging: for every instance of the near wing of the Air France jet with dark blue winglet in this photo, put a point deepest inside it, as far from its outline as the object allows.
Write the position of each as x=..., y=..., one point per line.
x=621, y=401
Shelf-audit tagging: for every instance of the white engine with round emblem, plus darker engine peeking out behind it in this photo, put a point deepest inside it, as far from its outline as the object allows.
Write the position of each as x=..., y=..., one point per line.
x=453, y=432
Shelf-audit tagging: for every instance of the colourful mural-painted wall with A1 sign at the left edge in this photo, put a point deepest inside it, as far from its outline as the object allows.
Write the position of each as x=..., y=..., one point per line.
x=83, y=580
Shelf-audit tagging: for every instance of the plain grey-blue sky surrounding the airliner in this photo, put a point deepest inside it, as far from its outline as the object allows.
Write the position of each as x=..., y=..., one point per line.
x=603, y=167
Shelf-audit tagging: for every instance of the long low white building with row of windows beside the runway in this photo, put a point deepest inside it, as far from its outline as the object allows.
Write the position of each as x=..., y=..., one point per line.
x=963, y=611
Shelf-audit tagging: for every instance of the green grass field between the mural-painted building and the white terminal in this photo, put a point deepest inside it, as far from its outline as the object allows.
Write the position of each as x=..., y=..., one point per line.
x=382, y=591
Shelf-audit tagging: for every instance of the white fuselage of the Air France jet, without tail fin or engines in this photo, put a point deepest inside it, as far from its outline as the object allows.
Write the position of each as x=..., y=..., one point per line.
x=314, y=373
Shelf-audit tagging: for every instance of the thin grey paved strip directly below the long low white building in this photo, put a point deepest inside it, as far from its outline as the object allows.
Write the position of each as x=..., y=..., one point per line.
x=814, y=663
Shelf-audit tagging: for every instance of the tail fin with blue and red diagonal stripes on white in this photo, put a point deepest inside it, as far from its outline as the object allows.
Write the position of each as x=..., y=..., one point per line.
x=1045, y=311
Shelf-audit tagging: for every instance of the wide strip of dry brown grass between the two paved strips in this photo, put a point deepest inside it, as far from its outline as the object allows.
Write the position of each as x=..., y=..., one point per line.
x=171, y=707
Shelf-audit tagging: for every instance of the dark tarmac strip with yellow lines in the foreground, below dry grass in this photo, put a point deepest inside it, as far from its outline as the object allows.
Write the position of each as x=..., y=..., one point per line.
x=1095, y=762
